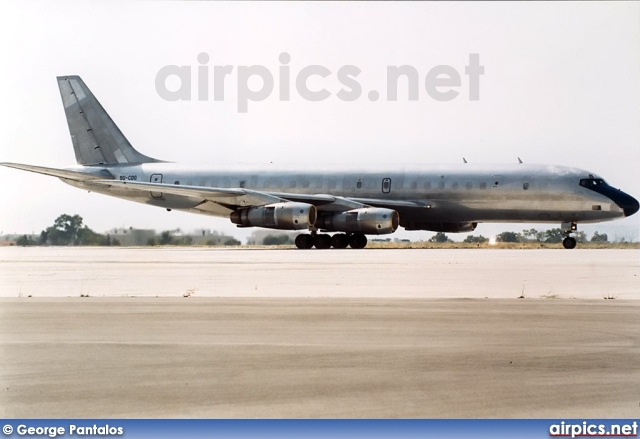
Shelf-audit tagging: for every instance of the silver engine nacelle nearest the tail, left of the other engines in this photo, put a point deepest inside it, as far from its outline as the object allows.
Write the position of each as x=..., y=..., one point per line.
x=283, y=216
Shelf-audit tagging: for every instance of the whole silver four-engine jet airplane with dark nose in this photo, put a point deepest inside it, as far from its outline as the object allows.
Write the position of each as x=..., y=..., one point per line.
x=351, y=202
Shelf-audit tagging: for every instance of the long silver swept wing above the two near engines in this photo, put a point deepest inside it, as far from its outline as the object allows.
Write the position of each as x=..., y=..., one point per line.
x=240, y=197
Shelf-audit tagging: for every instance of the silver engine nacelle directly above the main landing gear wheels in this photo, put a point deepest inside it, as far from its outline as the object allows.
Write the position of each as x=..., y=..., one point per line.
x=367, y=220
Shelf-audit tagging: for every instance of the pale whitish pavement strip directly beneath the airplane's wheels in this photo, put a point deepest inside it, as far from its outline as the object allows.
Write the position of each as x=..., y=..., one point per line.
x=393, y=273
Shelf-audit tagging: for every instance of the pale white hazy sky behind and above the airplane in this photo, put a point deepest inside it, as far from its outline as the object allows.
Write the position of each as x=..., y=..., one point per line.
x=561, y=85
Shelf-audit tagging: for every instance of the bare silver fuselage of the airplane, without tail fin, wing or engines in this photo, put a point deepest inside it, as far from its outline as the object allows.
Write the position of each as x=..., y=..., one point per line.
x=425, y=194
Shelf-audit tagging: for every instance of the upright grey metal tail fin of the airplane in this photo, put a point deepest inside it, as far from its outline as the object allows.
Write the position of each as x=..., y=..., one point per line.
x=97, y=140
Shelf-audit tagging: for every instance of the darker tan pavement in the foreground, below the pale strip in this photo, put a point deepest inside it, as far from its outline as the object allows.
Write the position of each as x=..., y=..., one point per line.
x=371, y=358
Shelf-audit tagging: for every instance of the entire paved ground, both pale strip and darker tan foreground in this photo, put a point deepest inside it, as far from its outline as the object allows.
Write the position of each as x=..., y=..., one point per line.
x=361, y=334
